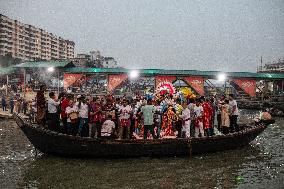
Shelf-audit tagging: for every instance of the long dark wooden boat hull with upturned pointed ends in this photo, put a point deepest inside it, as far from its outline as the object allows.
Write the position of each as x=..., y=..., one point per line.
x=54, y=143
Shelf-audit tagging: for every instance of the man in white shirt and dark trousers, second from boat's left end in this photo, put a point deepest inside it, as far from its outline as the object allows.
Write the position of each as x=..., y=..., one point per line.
x=53, y=118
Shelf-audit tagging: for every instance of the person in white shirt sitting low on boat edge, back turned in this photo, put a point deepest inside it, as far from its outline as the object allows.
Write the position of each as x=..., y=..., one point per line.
x=108, y=128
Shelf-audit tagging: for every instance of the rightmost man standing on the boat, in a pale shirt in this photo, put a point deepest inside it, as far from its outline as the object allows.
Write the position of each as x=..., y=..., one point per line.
x=234, y=113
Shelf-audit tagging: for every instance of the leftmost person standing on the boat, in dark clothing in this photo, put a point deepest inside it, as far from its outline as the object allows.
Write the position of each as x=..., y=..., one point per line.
x=41, y=106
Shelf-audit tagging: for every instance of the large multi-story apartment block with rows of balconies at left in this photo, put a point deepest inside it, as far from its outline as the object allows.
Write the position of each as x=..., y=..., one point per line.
x=31, y=43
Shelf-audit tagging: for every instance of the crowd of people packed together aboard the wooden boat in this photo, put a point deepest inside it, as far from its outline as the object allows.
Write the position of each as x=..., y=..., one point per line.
x=162, y=116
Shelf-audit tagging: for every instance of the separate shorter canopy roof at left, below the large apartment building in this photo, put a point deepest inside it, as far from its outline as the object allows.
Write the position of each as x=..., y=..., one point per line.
x=45, y=64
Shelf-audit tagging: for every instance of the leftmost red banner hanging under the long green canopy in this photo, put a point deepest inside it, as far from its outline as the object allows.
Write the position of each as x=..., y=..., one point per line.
x=74, y=80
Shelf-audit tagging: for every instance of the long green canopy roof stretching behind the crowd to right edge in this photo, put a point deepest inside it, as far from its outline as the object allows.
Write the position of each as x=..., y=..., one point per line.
x=207, y=74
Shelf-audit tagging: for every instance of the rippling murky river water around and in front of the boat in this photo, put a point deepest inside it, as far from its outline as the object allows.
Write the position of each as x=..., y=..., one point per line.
x=259, y=165
